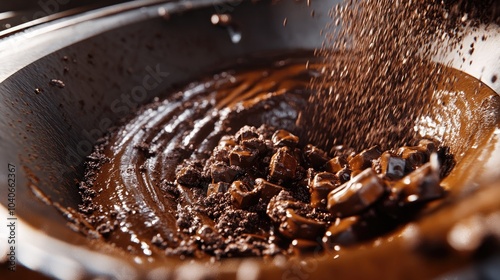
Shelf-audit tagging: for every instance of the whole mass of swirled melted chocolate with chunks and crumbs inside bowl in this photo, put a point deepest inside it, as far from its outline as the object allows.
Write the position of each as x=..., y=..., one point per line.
x=193, y=176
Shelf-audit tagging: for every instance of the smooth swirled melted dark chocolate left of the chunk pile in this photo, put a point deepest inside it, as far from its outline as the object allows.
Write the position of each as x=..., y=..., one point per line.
x=128, y=187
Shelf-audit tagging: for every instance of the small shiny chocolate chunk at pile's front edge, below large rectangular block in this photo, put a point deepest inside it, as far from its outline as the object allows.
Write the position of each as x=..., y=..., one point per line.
x=342, y=232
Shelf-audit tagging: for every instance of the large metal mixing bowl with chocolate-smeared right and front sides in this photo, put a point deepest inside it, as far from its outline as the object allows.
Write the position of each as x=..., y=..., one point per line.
x=66, y=82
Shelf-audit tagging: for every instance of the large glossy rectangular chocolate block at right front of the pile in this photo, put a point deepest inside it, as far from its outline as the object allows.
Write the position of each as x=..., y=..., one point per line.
x=356, y=195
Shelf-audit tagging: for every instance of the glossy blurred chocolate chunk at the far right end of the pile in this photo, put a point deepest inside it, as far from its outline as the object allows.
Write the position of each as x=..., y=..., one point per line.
x=421, y=185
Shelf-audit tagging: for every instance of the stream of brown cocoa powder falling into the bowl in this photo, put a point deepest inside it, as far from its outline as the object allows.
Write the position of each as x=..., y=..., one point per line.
x=373, y=95
